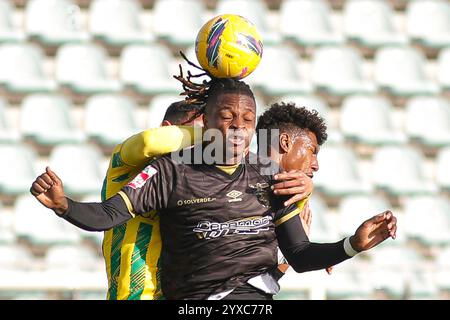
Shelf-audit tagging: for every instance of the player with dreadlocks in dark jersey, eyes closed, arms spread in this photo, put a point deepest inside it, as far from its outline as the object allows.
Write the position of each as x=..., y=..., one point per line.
x=217, y=234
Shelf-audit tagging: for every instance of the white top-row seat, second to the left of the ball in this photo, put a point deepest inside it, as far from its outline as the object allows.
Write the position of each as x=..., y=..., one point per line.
x=117, y=22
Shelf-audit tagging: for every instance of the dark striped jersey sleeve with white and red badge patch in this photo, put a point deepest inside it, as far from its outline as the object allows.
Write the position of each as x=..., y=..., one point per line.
x=151, y=188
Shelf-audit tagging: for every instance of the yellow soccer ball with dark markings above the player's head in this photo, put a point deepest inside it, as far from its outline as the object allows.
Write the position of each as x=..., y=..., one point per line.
x=229, y=46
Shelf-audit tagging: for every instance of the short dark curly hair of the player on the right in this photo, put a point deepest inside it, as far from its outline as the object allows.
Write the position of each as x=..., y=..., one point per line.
x=287, y=116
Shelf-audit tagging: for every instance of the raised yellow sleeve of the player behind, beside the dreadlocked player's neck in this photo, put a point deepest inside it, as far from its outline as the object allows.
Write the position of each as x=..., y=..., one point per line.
x=141, y=147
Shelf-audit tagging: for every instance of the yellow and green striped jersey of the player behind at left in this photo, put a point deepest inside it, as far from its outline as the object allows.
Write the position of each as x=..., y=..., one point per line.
x=132, y=250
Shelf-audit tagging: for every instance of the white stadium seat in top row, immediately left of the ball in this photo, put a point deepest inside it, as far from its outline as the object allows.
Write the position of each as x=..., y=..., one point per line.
x=178, y=21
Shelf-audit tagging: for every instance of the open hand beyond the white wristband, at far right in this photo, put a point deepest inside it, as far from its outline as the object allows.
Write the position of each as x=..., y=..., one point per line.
x=374, y=231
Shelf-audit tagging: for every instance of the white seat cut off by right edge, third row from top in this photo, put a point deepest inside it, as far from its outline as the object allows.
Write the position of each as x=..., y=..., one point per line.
x=428, y=120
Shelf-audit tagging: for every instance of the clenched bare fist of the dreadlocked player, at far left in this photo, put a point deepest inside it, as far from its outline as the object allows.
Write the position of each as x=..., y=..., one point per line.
x=48, y=189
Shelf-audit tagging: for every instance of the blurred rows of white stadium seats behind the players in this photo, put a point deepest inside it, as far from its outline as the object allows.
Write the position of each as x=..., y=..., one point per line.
x=79, y=76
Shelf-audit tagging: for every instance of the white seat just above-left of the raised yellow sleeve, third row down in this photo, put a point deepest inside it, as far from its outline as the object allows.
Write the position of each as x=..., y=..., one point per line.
x=117, y=114
